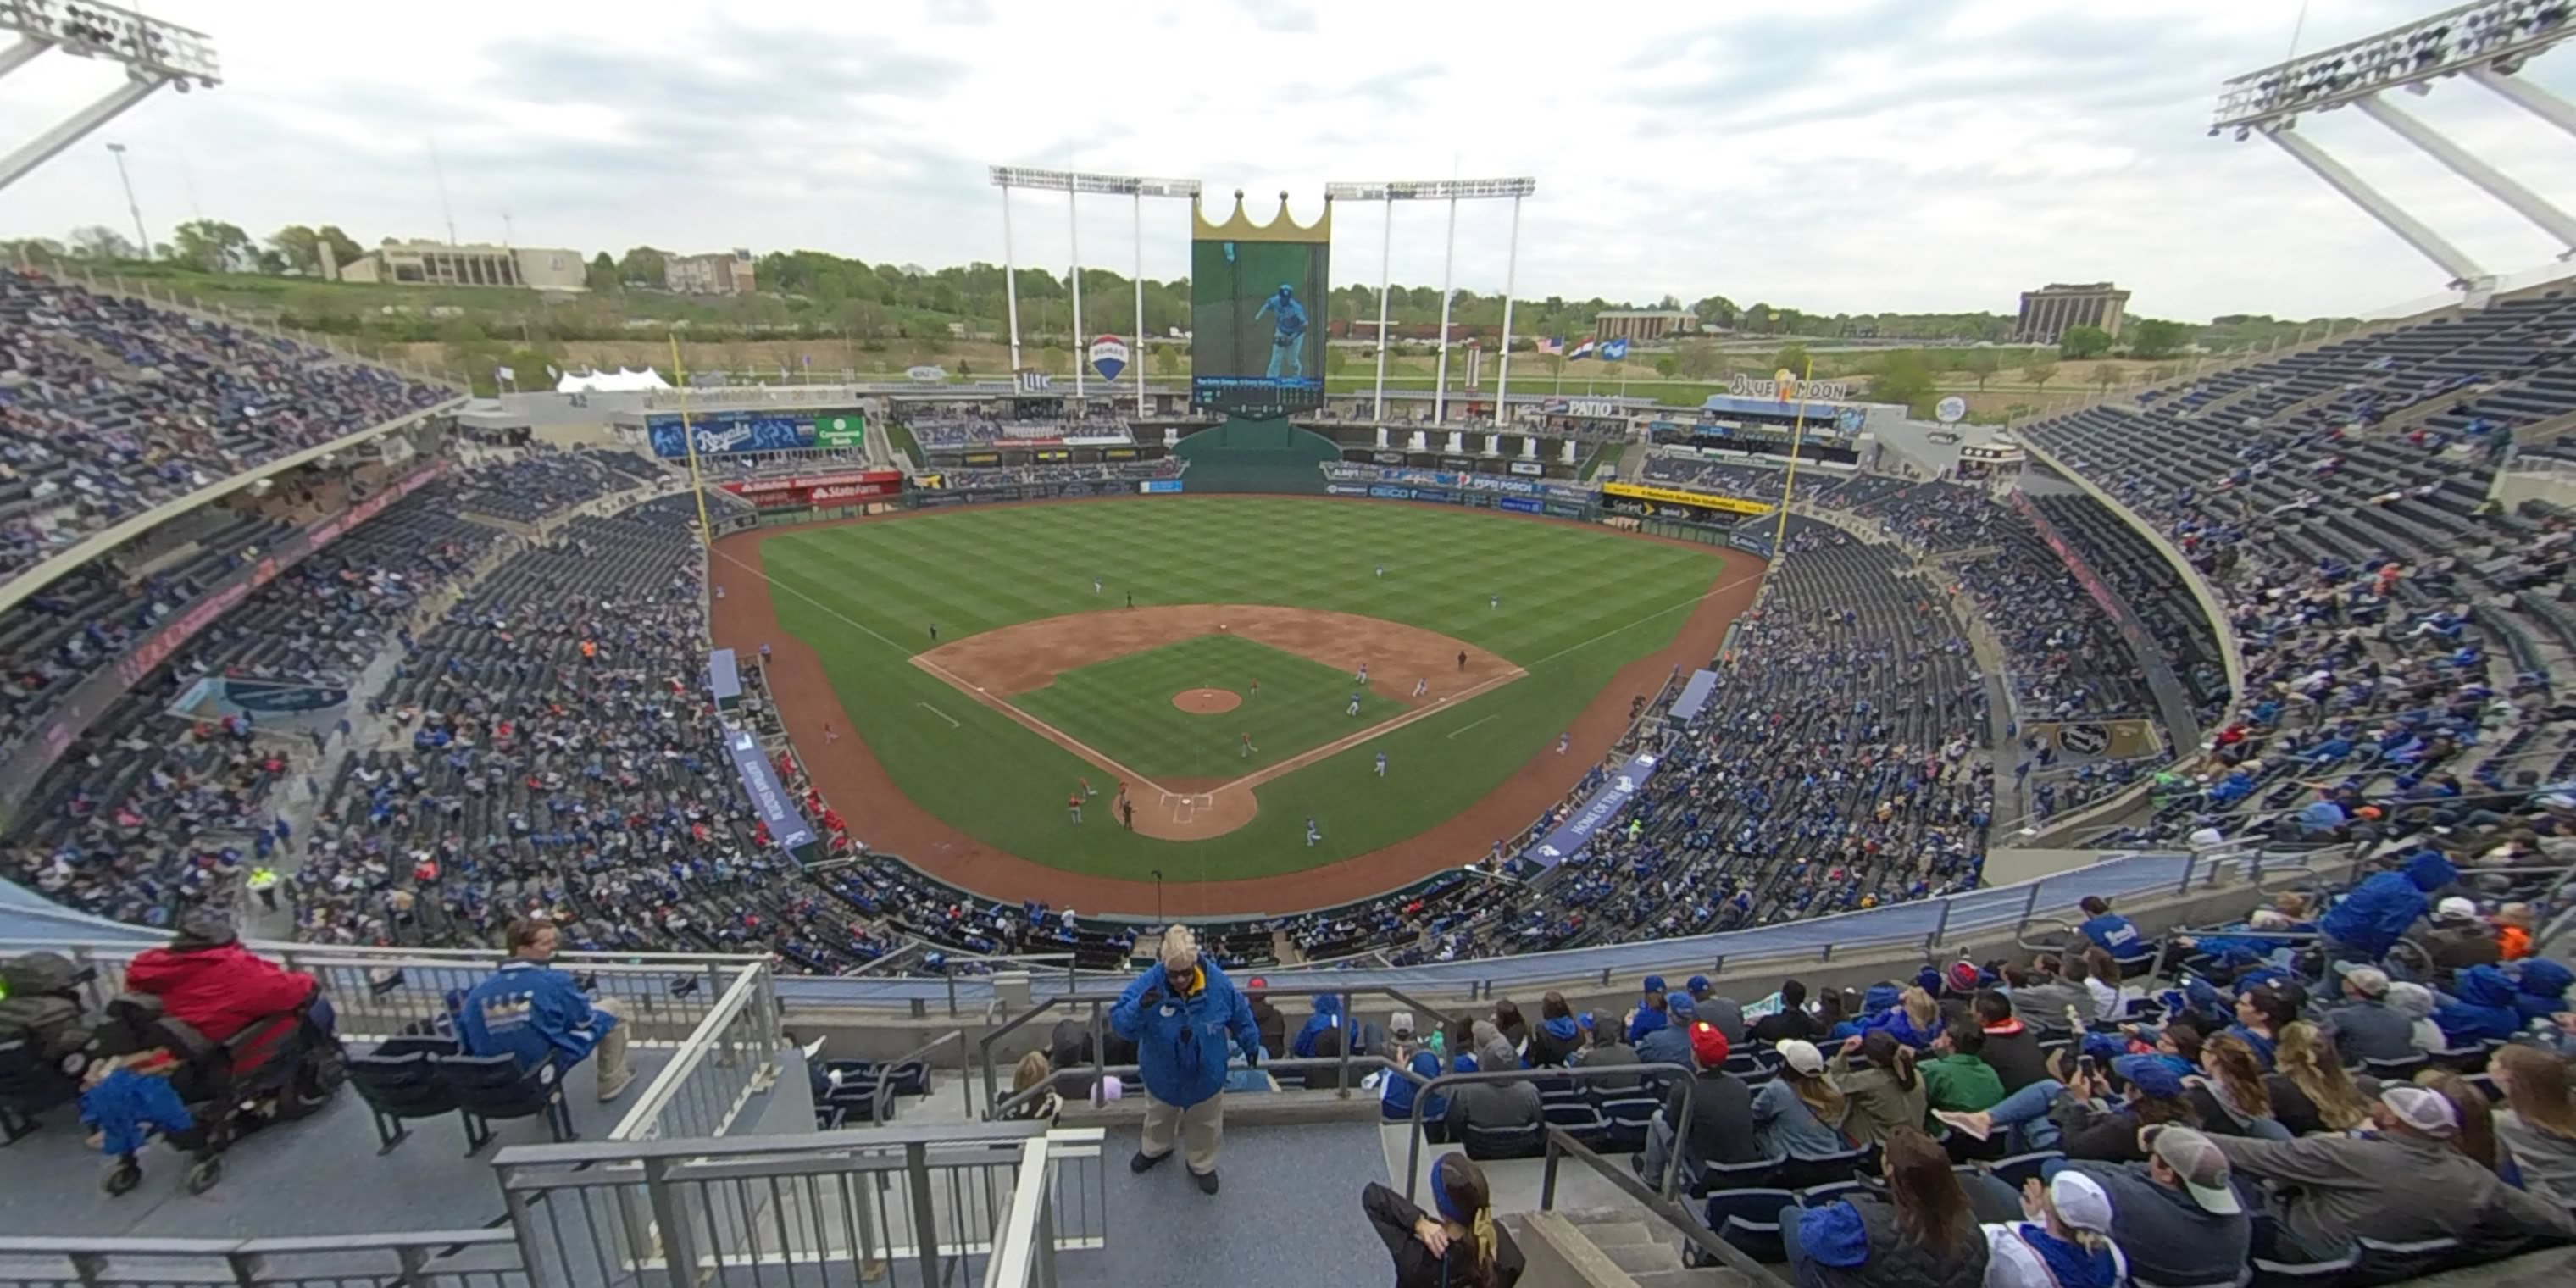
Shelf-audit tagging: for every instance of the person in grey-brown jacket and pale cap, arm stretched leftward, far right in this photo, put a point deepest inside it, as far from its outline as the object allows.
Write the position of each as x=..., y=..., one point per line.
x=2402, y=1184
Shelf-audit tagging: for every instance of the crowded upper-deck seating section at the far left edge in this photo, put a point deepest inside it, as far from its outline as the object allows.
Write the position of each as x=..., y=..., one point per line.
x=112, y=408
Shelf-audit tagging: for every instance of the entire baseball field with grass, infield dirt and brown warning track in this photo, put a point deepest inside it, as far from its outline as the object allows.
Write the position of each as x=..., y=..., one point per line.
x=1186, y=674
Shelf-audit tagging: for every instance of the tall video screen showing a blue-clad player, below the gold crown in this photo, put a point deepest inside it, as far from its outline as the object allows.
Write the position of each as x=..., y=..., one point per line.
x=1258, y=326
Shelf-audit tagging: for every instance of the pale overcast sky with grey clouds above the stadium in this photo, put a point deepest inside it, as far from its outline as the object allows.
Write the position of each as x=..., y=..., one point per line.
x=1830, y=156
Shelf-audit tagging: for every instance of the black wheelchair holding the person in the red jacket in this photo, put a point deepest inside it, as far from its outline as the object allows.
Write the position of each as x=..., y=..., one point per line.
x=274, y=1070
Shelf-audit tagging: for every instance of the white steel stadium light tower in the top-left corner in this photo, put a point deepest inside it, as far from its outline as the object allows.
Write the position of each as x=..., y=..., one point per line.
x=156, y=55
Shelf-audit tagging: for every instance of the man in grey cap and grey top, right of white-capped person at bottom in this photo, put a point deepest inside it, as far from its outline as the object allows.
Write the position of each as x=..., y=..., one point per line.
x=2175, y=1215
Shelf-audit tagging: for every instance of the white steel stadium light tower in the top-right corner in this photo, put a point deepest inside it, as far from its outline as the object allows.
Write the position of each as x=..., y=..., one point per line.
x=2487, y=43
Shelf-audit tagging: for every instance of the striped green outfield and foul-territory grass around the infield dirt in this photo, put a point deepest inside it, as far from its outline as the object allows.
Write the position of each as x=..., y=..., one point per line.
x=1575, y=607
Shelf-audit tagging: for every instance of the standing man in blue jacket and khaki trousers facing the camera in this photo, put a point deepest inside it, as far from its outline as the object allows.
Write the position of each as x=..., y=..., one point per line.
x=1181, y=1014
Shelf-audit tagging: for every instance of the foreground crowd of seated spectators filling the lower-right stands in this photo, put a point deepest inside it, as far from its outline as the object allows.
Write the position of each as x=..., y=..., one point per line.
x=2271, y=1104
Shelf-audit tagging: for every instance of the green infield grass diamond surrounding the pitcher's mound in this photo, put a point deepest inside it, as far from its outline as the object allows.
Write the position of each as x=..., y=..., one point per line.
x=1112, y=707
